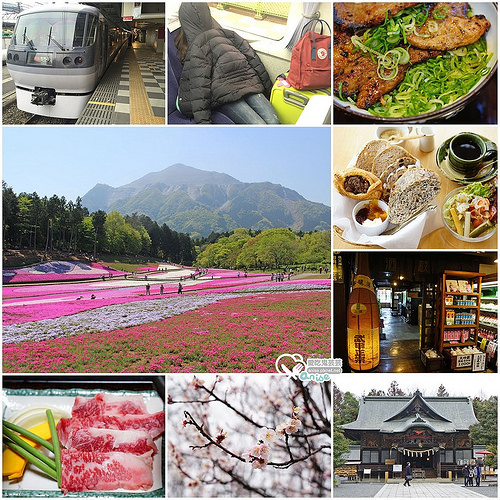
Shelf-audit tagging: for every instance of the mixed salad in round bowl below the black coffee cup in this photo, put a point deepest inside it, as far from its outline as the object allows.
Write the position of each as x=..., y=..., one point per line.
x=470, y=212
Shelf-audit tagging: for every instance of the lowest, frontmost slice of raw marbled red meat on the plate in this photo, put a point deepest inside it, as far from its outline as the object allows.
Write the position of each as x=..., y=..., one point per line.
x=99, y=471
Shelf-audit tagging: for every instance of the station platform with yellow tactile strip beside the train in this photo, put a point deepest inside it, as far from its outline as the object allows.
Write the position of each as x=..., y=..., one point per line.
x=132, y=91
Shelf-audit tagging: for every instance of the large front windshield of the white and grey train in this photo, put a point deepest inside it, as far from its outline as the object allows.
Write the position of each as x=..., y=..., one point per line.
x=44, y=29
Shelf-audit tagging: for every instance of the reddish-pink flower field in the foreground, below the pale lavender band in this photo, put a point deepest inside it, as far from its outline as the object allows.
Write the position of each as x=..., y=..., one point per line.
x=244, y=334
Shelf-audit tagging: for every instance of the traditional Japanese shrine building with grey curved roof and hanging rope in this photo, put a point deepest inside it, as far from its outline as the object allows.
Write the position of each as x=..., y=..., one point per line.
x=432, y=433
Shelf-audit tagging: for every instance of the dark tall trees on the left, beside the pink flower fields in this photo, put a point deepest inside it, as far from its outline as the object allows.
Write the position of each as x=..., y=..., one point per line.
x=51, y=224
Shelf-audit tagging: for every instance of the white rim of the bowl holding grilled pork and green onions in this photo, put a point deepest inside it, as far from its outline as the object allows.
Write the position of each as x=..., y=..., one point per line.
x=491, y=13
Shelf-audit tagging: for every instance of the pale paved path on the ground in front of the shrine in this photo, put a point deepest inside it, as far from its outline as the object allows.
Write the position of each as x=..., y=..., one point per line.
x=427, y=490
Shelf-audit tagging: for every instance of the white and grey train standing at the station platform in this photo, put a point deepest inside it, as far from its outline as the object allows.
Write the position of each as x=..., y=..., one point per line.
x=57, y=56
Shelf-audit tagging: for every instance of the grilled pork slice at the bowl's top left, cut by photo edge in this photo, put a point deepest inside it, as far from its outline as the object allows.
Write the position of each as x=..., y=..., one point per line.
x=353, y=16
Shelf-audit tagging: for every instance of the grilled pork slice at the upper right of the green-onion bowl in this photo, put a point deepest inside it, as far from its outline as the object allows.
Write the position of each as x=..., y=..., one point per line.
x=454, y=30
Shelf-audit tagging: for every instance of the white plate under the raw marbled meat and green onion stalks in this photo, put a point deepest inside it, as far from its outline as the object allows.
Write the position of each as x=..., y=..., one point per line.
x=34, y=483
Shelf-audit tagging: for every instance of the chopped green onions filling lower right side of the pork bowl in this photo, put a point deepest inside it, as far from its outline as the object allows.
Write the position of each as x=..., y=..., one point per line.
x=436, y=83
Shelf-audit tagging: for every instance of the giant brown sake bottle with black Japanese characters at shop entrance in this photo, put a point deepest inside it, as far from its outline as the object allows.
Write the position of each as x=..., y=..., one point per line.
x=363, y=320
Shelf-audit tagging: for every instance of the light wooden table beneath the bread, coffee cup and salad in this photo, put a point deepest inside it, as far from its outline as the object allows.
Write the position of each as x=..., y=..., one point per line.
x=348, y=140
